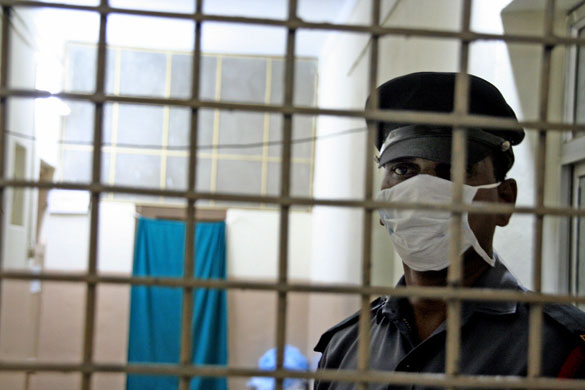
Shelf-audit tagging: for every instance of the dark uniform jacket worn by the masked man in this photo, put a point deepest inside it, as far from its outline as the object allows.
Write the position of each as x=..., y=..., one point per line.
x=494, y=339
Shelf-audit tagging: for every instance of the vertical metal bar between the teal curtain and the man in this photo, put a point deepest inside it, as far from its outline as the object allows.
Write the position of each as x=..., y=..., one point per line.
x=285, y=173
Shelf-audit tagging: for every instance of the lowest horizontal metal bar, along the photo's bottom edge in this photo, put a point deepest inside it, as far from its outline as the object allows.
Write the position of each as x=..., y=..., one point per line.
x=421, y=379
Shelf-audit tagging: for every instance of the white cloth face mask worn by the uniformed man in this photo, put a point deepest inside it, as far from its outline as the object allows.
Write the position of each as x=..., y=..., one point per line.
x=421, y=237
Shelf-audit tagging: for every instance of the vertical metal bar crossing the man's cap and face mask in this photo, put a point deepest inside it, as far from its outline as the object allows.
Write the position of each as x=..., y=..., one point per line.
x=458, y=162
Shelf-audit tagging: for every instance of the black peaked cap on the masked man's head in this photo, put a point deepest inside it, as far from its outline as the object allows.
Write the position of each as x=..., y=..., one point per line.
x=434, y=92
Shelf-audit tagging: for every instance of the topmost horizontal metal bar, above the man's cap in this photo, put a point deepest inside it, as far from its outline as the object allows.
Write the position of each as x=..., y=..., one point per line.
x=300, y=24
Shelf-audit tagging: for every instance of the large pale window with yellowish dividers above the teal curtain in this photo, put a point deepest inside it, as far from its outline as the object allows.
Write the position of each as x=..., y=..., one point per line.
x=148, y=146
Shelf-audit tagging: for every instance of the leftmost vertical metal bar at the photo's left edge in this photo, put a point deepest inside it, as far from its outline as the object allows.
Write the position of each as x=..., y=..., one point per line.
x=5, y=50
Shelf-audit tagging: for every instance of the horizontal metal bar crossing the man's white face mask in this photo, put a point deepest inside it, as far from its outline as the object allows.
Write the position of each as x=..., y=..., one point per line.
x=474, y=208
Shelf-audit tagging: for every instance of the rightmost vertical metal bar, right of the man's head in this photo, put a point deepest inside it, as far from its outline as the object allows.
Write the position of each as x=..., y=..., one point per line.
x=535, y=324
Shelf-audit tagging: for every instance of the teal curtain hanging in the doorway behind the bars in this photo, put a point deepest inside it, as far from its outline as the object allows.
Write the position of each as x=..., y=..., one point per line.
x=155, y=312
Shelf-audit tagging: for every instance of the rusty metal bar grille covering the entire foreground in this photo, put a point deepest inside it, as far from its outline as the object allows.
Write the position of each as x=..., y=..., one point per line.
x=454, y=294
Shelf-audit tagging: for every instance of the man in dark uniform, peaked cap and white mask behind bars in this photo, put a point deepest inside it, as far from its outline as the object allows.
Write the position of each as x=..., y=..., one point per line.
x=408, y=334
